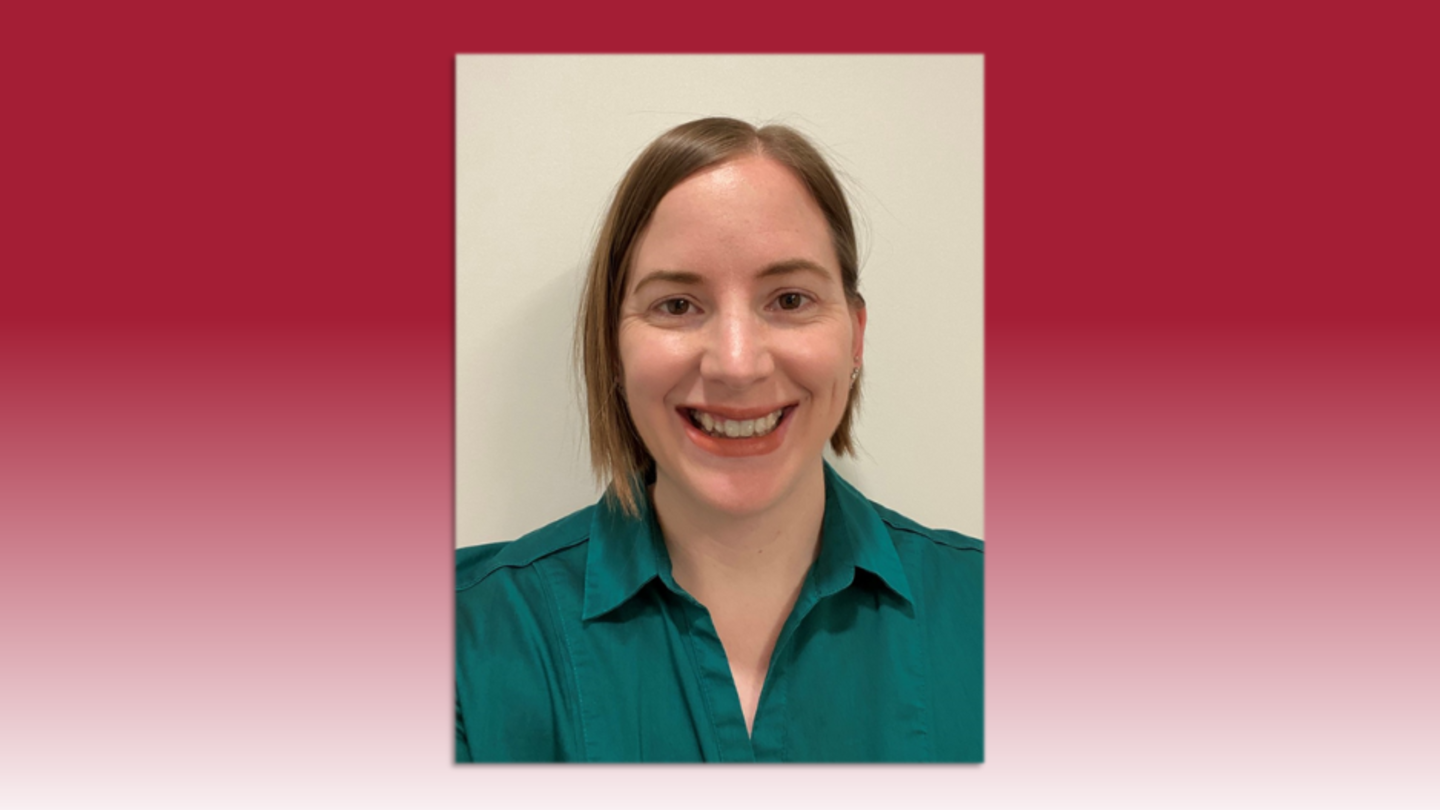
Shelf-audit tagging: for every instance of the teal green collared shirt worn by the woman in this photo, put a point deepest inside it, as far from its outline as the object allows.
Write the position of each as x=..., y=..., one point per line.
x=575, y=644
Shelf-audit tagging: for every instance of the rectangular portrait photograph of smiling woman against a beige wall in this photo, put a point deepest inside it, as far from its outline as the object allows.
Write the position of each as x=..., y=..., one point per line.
x=719, y=409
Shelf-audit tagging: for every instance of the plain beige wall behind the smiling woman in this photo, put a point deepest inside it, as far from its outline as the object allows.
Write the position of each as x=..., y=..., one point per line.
x=541, y=145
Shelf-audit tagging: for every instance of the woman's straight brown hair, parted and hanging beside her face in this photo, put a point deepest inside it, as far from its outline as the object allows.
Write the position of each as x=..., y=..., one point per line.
x=616, y=448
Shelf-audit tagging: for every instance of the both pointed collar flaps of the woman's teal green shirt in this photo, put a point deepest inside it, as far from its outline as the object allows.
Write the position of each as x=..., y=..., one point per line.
x=626, y=553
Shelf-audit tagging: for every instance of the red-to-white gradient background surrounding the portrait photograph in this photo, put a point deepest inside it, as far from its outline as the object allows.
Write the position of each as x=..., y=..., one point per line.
x=227, y=404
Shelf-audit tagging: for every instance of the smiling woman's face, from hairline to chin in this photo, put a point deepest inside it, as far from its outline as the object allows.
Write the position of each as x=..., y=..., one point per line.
x=737, y=339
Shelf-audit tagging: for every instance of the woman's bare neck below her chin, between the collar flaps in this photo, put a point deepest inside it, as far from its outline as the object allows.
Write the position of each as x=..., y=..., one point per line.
x=722, y=557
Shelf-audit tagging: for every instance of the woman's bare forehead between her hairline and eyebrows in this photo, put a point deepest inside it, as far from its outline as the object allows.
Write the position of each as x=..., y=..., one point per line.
x=739, y=217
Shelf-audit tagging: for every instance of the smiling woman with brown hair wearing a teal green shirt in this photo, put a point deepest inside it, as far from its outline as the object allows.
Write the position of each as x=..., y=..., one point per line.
x=731, y=599
